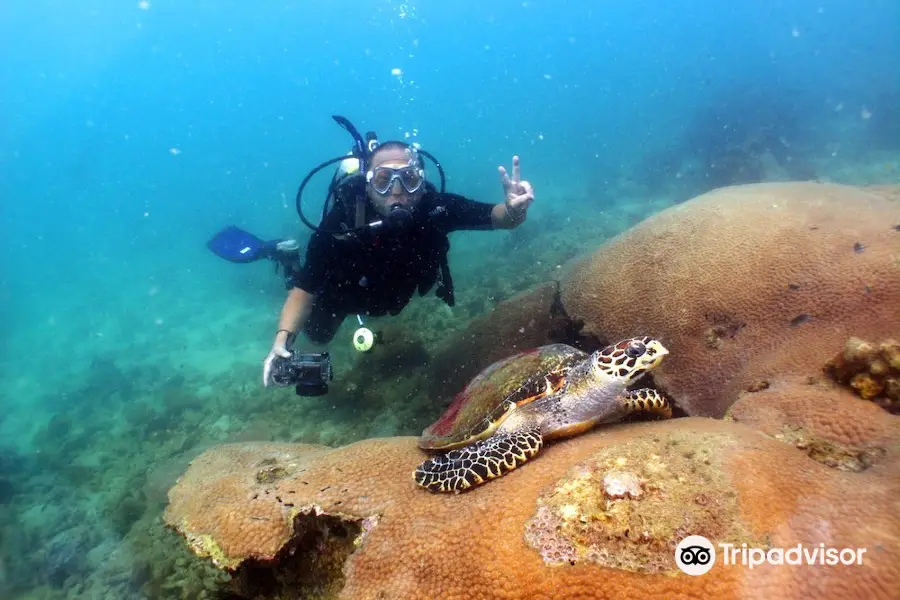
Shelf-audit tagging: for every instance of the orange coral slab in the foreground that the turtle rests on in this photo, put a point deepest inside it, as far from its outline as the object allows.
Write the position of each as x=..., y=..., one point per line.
x=595, y=516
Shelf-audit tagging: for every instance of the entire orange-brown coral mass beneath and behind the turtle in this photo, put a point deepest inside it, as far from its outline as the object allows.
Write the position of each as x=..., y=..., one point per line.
x=754, y=289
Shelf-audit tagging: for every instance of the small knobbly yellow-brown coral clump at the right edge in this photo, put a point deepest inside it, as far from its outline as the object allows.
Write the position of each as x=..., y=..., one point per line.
x=872, y=371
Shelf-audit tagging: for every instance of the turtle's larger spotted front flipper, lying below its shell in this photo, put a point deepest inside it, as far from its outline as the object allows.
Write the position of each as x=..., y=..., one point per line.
x=480, y=462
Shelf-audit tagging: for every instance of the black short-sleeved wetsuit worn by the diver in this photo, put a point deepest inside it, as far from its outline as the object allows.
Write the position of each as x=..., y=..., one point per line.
x=378, y=274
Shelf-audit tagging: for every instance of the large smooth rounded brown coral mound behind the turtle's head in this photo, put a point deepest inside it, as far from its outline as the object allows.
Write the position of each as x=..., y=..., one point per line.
x=745, y=285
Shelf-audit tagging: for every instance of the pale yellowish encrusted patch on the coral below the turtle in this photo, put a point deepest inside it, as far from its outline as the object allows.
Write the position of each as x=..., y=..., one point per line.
x=623, y=506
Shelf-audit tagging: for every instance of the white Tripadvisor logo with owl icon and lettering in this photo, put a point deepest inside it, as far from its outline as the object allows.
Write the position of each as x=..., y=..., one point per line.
x=696, y=555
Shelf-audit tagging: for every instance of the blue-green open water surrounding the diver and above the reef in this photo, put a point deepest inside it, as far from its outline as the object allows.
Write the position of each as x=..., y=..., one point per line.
x=133, y=131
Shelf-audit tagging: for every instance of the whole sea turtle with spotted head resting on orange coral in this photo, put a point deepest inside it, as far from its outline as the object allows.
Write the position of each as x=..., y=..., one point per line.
x=505, y=414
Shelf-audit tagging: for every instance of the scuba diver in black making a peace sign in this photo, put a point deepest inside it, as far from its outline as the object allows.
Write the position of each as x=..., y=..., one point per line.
x=382, y=237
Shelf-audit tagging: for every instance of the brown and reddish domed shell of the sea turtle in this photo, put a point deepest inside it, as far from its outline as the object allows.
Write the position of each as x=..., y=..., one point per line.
x=487, y=400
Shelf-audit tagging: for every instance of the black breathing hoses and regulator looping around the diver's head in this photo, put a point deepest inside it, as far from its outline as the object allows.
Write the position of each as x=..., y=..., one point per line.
x=362, y=150
